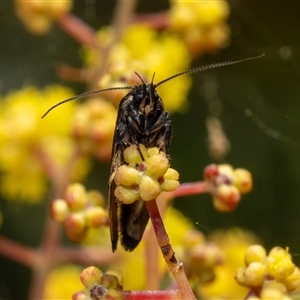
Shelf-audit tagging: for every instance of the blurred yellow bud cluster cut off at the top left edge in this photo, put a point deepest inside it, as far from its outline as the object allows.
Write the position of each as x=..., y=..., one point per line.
x=38, y=16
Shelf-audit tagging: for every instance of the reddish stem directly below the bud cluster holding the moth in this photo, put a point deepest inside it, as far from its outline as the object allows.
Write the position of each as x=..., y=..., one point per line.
x=174, y=265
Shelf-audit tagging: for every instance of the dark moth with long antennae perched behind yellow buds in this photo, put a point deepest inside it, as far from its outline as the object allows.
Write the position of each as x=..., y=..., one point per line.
x=141, y=119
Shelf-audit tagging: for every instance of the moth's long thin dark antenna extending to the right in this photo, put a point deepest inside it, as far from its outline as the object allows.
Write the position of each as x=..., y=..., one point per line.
x=211, y=66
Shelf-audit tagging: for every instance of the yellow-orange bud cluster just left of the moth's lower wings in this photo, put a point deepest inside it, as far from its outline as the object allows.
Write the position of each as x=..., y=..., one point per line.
x=79, y=211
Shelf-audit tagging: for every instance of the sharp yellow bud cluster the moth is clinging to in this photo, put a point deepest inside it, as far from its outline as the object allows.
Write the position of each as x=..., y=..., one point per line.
x=144, y=178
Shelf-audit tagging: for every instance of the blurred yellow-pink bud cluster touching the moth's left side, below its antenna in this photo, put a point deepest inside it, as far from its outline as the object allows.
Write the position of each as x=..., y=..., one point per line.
x=93, y=127
